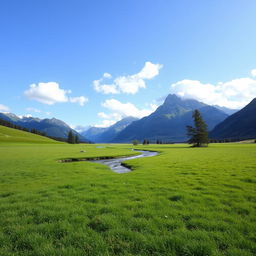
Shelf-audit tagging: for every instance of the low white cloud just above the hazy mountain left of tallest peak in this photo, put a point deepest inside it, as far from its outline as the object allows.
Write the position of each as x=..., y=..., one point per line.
x=127, y=109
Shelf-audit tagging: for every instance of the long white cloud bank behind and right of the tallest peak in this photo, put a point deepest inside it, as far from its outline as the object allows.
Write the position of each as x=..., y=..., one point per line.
x=232, y=94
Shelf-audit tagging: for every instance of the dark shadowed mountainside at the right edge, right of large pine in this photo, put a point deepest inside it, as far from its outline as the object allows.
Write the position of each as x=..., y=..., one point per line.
x=241, y=125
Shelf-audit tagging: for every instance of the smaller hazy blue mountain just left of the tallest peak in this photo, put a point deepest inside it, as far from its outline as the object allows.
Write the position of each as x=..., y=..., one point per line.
x=105, y=135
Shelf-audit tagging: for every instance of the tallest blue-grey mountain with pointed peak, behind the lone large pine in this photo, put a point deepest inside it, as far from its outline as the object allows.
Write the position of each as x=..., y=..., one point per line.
x=169, y=121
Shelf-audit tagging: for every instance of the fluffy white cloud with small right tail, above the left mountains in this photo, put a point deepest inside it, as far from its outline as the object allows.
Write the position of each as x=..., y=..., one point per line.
x=50, y=93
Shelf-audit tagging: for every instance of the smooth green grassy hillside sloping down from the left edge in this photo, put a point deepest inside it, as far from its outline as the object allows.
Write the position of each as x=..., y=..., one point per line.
x=13, y=135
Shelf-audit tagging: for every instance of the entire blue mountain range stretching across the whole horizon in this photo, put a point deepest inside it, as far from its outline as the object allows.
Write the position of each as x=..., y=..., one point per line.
x=167, y=123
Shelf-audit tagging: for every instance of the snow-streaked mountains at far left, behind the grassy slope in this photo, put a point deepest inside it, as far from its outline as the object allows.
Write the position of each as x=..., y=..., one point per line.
x=52, y=127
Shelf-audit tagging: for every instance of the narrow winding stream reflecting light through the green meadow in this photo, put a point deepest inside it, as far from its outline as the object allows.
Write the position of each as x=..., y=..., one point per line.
x=115, y=164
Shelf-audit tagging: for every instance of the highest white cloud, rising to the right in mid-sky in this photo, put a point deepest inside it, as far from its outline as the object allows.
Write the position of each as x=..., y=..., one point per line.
x=127, y=84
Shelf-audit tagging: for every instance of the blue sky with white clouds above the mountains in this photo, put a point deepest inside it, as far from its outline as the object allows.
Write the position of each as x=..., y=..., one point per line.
x=94, y=62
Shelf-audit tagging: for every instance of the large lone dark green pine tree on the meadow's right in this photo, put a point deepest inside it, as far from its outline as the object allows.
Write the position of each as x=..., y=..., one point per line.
x=198, y=134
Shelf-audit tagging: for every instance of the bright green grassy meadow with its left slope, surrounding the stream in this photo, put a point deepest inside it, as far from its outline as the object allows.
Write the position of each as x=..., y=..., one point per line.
x=185, y=201
